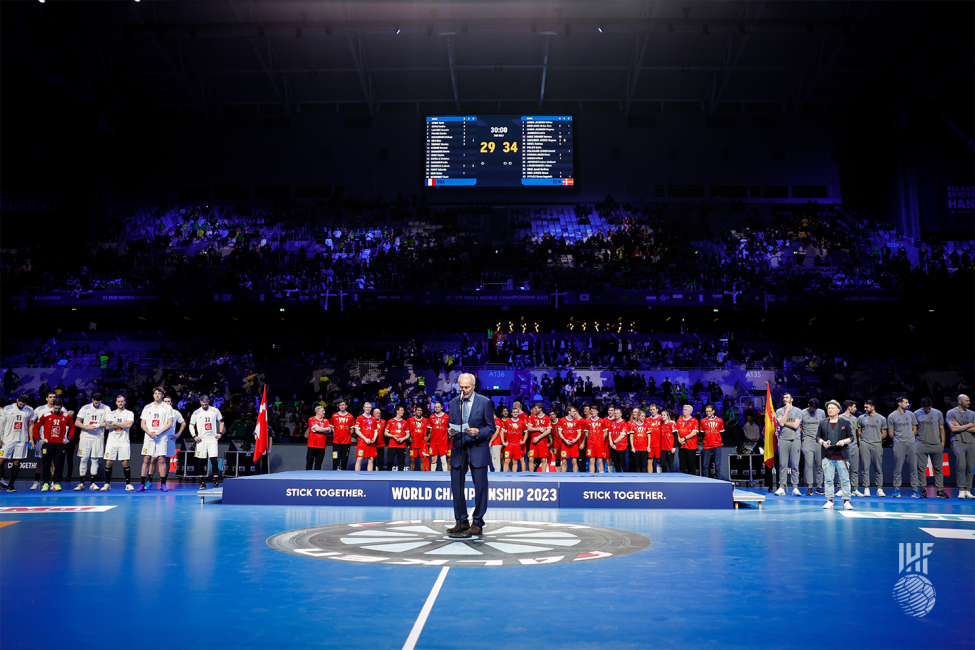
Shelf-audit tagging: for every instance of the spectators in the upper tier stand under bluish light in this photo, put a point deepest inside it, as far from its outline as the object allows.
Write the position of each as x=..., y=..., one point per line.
x=350, y=244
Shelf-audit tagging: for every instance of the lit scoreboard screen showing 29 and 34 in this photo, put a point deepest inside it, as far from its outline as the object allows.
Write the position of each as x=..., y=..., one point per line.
x=488, y=151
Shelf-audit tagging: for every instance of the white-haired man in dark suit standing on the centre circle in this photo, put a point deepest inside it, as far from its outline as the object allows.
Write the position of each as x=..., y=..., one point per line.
x=471, y=428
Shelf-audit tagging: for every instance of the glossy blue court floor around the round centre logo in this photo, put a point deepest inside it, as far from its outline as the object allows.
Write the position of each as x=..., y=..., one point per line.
x=163, y=571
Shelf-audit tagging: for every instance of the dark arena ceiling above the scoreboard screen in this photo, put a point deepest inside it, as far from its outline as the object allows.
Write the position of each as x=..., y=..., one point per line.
x=626, y=55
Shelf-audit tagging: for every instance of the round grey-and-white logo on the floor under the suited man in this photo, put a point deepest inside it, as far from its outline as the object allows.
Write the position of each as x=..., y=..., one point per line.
x=423, y=542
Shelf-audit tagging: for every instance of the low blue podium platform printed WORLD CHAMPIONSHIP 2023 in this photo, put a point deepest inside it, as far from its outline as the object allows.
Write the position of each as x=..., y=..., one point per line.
x=509, y=490
